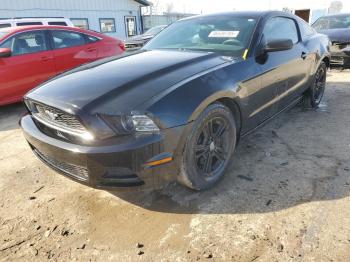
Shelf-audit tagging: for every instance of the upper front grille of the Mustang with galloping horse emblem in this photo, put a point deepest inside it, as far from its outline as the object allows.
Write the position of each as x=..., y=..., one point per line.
x=58, y=118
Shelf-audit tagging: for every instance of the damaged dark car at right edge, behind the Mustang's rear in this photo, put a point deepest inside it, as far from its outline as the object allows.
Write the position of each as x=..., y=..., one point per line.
x=337, y=28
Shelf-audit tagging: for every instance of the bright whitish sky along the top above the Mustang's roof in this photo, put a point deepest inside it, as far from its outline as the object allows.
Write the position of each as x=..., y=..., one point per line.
x=209, y=6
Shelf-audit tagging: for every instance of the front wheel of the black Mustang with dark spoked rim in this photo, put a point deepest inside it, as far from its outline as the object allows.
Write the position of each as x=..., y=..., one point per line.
x=208, y=148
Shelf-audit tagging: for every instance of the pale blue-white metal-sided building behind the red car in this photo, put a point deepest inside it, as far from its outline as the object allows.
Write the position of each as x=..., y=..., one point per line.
x=118, y=18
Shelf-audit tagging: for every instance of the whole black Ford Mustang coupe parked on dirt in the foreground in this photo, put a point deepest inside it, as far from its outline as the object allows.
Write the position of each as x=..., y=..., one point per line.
x=176, y=109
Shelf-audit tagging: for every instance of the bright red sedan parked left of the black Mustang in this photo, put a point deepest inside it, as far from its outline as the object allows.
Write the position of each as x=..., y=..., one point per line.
x=32, y=54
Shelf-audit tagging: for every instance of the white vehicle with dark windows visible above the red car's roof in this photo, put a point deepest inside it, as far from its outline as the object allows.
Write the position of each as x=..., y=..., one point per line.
x=24, y=21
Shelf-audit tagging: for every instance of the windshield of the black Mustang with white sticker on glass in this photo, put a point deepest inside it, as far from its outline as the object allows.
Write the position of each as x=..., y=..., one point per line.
x=225, y=35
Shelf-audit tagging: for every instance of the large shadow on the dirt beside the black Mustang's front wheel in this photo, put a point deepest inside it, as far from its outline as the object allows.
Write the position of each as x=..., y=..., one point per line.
x=279, y=166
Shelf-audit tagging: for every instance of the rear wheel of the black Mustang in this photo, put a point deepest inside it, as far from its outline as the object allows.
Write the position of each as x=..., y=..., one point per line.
x=313, y=96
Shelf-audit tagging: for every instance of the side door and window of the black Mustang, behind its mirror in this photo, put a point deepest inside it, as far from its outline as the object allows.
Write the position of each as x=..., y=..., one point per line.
x=287, y=70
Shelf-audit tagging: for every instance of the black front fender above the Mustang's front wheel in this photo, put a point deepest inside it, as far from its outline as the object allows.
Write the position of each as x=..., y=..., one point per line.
x=183, y=104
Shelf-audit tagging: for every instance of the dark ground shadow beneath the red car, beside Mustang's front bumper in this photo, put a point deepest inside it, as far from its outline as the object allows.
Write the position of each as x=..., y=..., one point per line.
x=10, y=115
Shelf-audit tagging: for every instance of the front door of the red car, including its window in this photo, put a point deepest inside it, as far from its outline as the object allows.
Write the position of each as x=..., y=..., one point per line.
x=30, y=64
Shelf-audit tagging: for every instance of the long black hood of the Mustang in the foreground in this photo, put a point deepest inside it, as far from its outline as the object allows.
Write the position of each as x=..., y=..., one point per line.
x=118, y=85
